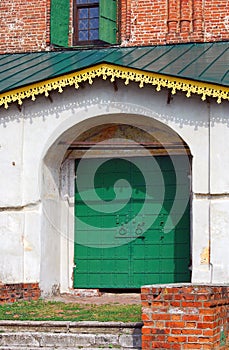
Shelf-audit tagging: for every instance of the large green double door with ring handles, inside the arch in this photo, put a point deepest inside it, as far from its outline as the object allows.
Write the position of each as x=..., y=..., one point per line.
x=127, y=231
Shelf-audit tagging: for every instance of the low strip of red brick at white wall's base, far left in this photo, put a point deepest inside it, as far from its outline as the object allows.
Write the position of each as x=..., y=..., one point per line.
x=10, y=293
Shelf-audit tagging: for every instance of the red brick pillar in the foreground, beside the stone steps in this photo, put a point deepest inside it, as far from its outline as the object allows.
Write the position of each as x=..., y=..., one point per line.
x=185, y=317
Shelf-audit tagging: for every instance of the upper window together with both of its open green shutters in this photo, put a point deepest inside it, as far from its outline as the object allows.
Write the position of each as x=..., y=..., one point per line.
x=94, y=22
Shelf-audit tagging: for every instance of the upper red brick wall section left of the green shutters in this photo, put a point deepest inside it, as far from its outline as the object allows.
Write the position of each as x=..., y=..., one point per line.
x=23, y=25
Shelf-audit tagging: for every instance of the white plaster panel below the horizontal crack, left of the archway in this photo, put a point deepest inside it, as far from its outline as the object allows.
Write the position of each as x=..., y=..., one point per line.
x=20, y=245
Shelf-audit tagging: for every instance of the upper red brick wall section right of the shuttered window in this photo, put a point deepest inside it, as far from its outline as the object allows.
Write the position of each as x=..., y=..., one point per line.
x=147, y=22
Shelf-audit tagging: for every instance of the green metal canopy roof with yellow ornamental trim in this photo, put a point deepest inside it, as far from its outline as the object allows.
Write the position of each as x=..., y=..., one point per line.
x=205, y=63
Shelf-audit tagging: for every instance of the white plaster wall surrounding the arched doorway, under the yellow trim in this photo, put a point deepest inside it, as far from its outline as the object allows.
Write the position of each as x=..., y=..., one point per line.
x=39, y=132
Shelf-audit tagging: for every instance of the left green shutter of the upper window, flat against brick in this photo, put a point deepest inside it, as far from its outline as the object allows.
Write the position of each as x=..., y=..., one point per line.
x=60, y=10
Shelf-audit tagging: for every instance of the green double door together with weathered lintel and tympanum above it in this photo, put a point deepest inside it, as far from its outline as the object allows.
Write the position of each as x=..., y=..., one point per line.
x=132, y=206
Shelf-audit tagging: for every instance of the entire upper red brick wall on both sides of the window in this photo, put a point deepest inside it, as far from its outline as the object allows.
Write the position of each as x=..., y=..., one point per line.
x=25, y=25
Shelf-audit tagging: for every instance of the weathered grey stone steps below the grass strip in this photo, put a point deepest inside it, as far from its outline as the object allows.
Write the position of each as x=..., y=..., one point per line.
x=69, y=335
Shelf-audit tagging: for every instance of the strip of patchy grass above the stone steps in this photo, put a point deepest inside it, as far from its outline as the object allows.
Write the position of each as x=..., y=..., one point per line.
x=58, y=311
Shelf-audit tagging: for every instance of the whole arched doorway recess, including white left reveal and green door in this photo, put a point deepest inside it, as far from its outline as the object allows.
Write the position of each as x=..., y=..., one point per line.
x=138, y=141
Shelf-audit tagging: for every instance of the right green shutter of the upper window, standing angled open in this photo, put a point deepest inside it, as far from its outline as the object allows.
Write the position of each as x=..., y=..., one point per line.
x=108, y=21
